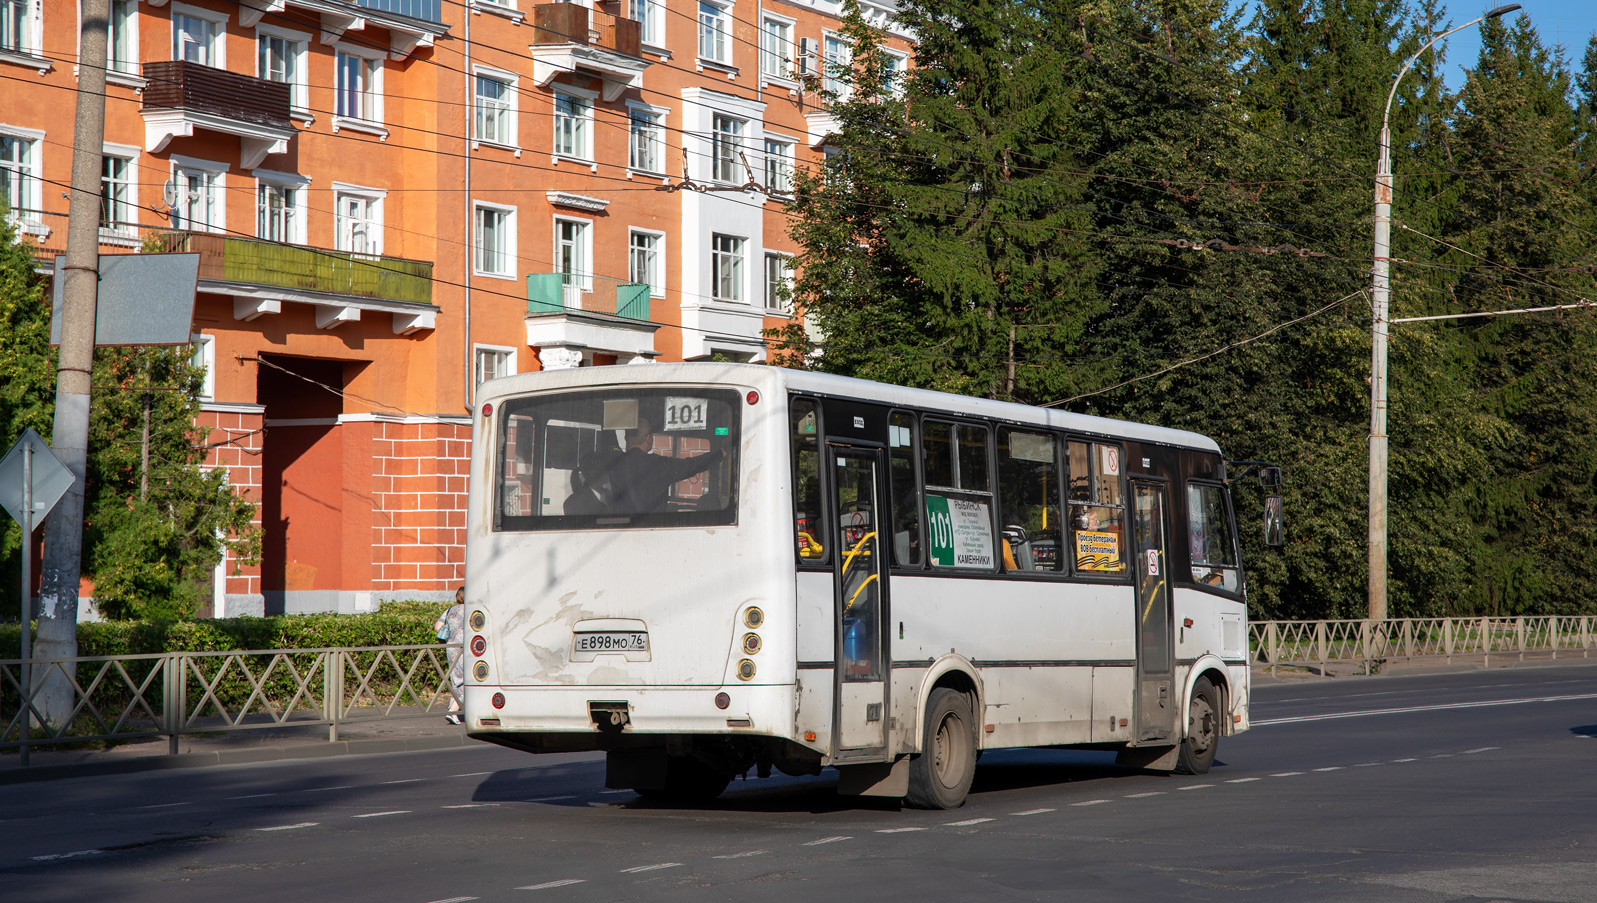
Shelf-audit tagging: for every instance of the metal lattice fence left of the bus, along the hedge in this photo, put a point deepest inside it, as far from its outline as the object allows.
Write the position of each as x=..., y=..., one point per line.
x=137, y=698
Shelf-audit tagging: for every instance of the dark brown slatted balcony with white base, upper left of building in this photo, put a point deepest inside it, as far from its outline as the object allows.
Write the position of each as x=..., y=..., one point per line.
x=183, y=98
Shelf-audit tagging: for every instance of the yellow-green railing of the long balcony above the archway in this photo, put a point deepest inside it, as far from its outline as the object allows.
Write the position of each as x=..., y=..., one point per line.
x=224, y=258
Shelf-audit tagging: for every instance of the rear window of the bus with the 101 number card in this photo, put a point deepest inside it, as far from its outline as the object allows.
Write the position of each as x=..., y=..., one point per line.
x=617, y=458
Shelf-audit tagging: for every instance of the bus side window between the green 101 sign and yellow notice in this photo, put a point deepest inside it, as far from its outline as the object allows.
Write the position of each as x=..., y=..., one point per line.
x=1029, y=501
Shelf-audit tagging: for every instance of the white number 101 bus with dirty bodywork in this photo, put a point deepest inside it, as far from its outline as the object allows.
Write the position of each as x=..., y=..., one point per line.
x=703, y=570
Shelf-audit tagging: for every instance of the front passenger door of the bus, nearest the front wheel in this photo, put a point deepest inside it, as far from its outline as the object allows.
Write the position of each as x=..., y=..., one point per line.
x=1157, y=704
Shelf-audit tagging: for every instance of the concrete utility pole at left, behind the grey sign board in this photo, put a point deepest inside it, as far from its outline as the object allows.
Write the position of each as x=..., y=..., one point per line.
x=61, y=568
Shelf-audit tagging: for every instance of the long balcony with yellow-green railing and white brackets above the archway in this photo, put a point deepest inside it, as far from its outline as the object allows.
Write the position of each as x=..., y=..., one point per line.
x=263, y=276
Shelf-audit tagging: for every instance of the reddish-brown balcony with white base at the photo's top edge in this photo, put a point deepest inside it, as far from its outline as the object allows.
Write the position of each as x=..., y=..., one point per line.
x=569, y=39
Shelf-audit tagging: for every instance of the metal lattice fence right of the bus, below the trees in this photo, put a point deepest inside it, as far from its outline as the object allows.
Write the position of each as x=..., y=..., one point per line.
x=1322, y=643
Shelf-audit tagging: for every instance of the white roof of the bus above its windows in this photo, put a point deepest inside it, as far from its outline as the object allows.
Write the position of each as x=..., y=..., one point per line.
x=772, y=378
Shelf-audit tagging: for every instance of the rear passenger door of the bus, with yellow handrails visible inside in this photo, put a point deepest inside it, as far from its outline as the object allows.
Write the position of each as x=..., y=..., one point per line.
x=860, y=728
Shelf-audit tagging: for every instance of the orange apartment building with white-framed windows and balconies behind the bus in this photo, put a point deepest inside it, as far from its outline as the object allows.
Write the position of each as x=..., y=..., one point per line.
x=398, y=199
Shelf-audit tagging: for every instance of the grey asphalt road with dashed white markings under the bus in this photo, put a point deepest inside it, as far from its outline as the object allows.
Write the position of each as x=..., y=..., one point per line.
x=1421, y=789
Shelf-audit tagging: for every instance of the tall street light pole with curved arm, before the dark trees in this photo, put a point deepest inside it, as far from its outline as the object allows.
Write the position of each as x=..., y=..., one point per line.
x=1381, y=298
